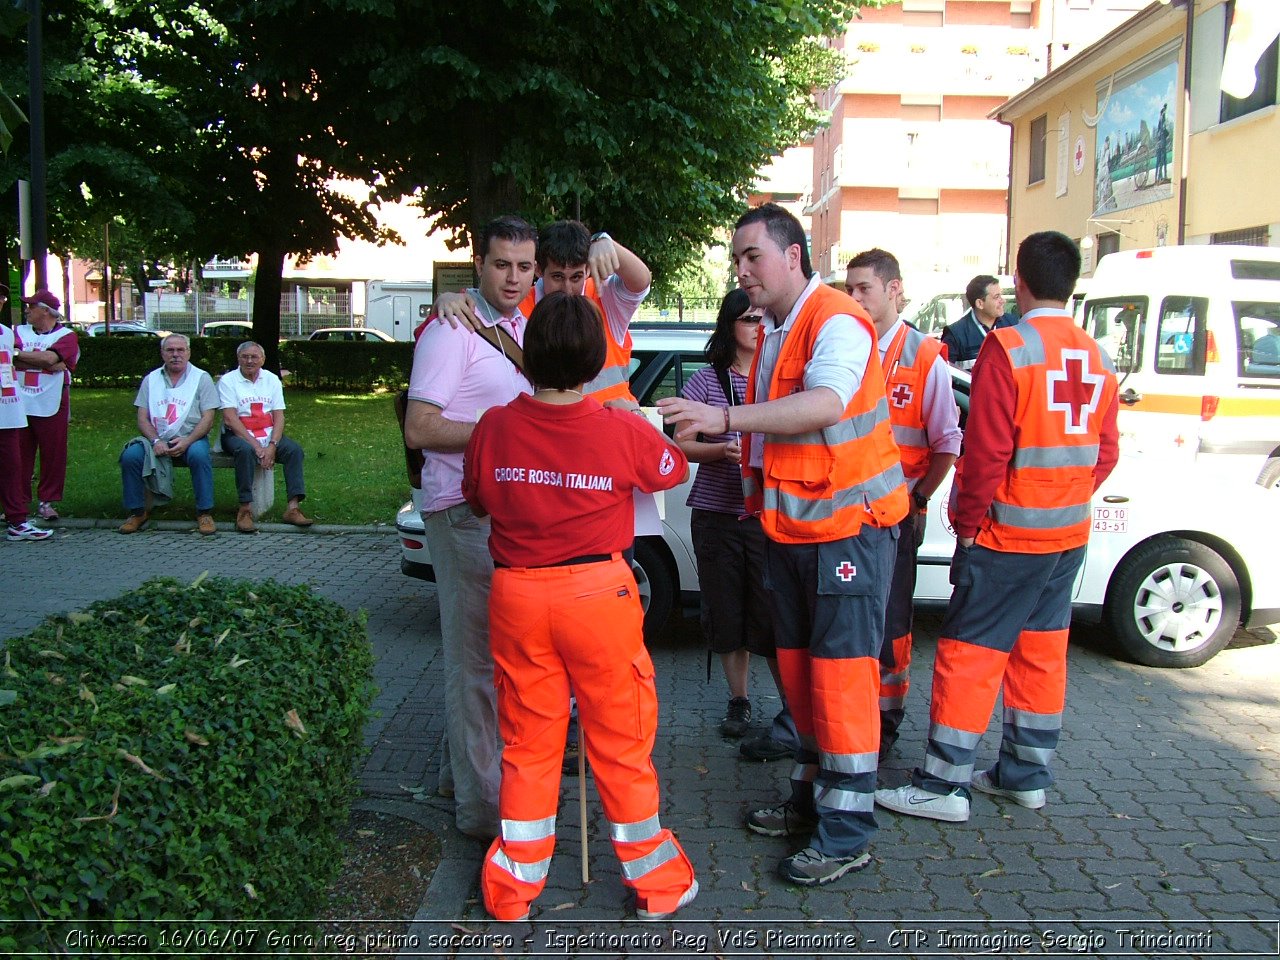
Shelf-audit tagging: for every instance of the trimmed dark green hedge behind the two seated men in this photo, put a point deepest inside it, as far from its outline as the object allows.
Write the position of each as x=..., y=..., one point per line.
x=349, y=368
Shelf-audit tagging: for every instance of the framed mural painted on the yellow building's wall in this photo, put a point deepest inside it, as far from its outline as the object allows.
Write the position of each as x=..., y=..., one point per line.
x=1135, y=139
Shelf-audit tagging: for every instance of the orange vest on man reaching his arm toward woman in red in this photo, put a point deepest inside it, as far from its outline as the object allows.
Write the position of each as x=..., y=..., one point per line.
x=825, y=484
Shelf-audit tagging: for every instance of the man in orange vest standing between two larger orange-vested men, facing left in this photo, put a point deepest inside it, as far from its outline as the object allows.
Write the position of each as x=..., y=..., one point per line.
x=922, y=409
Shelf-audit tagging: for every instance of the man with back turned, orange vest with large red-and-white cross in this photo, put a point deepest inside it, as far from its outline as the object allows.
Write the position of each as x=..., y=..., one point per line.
x=1040, y=441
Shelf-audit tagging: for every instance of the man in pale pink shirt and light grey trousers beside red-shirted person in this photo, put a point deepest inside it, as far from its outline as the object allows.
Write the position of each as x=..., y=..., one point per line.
x=456, y=377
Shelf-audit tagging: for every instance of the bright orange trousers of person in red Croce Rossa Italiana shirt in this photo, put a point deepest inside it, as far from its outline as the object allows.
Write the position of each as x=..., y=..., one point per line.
x=554, y=629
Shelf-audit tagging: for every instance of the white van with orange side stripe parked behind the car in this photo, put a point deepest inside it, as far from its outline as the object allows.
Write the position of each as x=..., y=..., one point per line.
x=1195, y=333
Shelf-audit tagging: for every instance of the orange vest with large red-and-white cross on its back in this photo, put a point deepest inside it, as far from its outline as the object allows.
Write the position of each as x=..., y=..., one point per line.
x=1064, y=386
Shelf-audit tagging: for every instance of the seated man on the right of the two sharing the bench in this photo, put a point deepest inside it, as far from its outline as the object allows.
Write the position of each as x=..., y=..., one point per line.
x=253, y=403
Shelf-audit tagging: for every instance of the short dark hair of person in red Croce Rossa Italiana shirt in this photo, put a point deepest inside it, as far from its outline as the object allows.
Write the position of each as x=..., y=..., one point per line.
x=564, y=342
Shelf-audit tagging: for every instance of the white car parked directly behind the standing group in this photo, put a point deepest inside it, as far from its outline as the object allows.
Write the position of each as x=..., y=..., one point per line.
x=1178, y=557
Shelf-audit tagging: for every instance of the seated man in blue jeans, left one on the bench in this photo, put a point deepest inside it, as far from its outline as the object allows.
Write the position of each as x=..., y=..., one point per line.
x=176, y=409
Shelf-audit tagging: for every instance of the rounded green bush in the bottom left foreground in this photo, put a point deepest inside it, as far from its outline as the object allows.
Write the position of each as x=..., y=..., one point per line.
x=182, y=752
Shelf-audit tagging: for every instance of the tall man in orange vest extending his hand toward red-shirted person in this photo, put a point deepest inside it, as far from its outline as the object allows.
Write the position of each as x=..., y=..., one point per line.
x=822, y=470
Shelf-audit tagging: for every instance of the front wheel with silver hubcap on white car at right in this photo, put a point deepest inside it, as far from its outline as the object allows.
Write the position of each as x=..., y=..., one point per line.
x=1173, y=604
